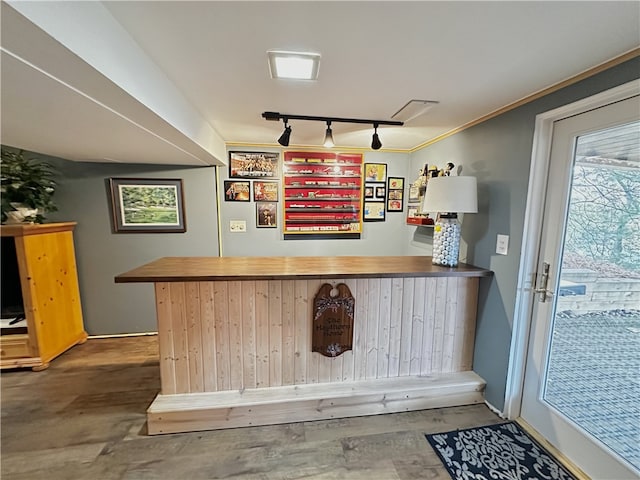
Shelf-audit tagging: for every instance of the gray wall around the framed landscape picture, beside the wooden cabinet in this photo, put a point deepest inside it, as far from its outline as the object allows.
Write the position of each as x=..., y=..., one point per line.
x=82, y=196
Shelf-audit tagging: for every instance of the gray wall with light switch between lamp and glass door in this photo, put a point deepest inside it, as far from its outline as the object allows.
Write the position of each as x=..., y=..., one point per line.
x=498, y=153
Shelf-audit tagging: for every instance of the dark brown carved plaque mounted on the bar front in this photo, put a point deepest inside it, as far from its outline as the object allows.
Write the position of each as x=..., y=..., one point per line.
x=333, y=309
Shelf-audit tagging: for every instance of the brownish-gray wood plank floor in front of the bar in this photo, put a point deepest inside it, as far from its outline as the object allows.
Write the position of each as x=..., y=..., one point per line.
x=84, y=418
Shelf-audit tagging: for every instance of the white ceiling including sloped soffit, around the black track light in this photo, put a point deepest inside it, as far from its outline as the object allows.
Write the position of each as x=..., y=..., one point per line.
x=174, y=81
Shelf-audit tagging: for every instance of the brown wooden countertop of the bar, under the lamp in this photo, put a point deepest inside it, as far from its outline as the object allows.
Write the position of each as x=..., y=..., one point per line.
x=203, y=269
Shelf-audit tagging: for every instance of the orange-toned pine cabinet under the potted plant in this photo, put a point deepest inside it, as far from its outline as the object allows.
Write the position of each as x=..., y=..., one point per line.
x=39, y=271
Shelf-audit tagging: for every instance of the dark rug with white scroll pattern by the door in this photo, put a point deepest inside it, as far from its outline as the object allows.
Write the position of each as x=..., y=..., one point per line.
x=495, y=452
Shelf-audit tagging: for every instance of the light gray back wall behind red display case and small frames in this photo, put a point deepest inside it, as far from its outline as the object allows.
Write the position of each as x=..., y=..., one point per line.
x=378, y=238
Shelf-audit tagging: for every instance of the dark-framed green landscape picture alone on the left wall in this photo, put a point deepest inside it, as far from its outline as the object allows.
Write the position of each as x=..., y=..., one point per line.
x=147, y=205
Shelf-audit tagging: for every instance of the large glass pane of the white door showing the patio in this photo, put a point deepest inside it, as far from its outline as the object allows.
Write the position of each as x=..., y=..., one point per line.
x=593, y=372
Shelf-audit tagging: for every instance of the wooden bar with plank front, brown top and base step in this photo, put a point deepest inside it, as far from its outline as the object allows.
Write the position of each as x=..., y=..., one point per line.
x=235, y=339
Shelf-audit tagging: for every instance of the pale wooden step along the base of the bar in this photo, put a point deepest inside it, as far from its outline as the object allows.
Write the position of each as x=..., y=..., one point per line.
x=296, y=403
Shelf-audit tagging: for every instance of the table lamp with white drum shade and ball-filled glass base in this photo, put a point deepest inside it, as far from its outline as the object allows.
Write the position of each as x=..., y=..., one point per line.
x=449, y=196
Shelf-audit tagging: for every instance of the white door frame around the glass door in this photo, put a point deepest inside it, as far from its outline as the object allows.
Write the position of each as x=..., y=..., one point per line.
x=532, y=233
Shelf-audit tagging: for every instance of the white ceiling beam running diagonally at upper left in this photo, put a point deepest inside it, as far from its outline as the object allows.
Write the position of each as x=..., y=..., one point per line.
x=88, y=30
